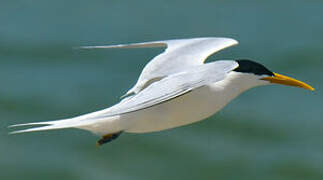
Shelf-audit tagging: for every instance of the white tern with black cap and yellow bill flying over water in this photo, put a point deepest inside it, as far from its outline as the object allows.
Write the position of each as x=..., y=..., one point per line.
x=174, y=89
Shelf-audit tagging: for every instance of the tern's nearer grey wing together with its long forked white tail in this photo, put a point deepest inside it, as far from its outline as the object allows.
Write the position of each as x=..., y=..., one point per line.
x=158, y=92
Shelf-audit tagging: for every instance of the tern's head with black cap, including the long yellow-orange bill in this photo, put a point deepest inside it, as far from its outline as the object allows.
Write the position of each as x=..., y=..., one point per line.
x=264, y=76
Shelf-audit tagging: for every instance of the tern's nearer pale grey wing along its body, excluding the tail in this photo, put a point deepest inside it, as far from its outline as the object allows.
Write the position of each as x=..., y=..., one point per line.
x=173, y=86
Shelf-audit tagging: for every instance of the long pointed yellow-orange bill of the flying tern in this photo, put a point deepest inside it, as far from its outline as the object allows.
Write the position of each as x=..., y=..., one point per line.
x=285, y=80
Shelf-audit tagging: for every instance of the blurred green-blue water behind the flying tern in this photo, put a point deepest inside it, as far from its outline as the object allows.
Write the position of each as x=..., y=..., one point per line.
x=267, y=133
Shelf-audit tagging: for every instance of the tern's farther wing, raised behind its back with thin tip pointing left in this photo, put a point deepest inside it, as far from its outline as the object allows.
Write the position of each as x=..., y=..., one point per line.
x=179, y=55
